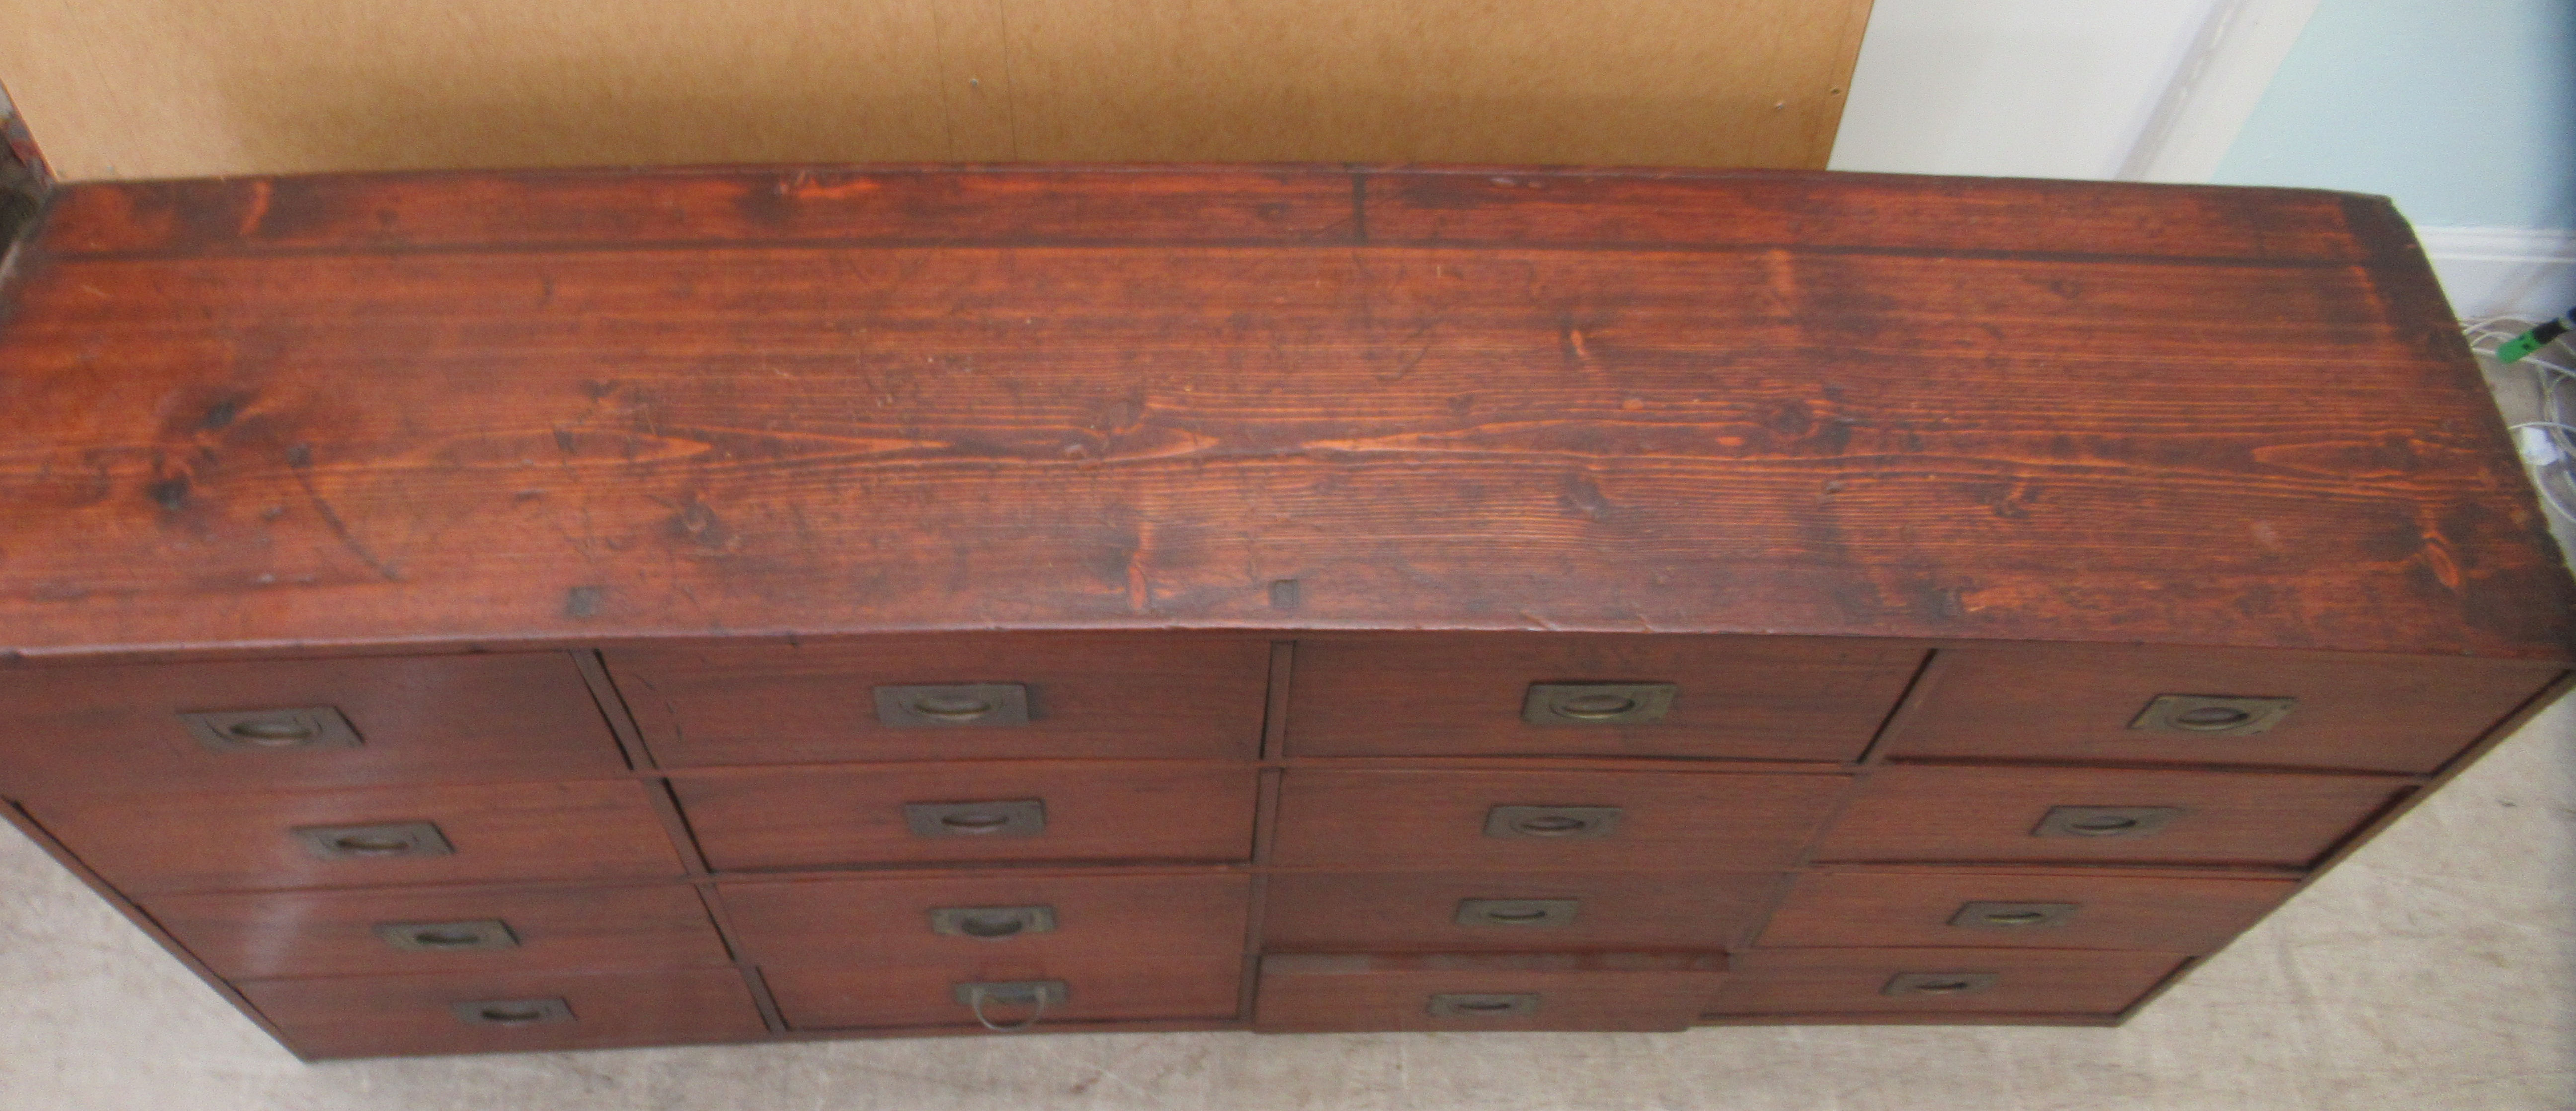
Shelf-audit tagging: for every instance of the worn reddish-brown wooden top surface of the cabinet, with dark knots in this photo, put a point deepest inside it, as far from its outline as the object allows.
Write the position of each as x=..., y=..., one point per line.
x=601, y=406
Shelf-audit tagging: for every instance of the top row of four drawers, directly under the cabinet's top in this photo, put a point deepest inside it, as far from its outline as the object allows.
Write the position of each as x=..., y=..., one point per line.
x=532, y=715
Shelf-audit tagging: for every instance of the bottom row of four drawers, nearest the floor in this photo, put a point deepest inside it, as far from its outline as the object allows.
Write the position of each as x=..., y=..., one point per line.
x=480, y=1012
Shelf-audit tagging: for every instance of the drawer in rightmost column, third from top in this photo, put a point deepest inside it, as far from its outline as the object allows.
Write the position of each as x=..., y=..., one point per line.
x=2005, y=909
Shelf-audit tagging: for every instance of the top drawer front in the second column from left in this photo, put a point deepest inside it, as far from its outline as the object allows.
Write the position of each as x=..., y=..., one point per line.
x=1037, y=697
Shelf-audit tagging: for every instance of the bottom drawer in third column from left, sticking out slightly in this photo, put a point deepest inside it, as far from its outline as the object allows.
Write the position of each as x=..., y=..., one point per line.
x=1320, y=994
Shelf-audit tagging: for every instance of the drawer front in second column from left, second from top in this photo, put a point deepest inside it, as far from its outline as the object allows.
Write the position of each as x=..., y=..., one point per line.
x=926, y=816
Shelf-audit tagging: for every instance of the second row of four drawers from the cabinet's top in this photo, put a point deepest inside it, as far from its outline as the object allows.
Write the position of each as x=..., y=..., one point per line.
x=1112, y=811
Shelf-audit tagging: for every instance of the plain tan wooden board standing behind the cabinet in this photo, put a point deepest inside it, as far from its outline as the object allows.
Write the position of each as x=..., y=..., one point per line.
x=164, y=89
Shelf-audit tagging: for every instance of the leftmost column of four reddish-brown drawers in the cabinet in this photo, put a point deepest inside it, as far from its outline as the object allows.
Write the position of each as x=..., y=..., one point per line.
x=385, y=855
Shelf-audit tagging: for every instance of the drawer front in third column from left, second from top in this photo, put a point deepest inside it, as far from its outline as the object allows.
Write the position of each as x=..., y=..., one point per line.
x=1444, y=818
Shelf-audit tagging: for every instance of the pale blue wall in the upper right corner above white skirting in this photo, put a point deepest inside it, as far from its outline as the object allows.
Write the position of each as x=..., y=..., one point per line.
x=2459, y=110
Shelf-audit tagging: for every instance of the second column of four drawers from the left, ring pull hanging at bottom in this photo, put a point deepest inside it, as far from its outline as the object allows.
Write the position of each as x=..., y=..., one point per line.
x=978, y=829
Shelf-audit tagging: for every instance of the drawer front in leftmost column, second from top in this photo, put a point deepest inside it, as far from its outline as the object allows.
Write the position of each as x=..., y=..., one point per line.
x=272, y=842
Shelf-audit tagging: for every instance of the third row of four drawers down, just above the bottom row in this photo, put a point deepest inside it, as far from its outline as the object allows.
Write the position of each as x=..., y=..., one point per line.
x=1032, y=922
